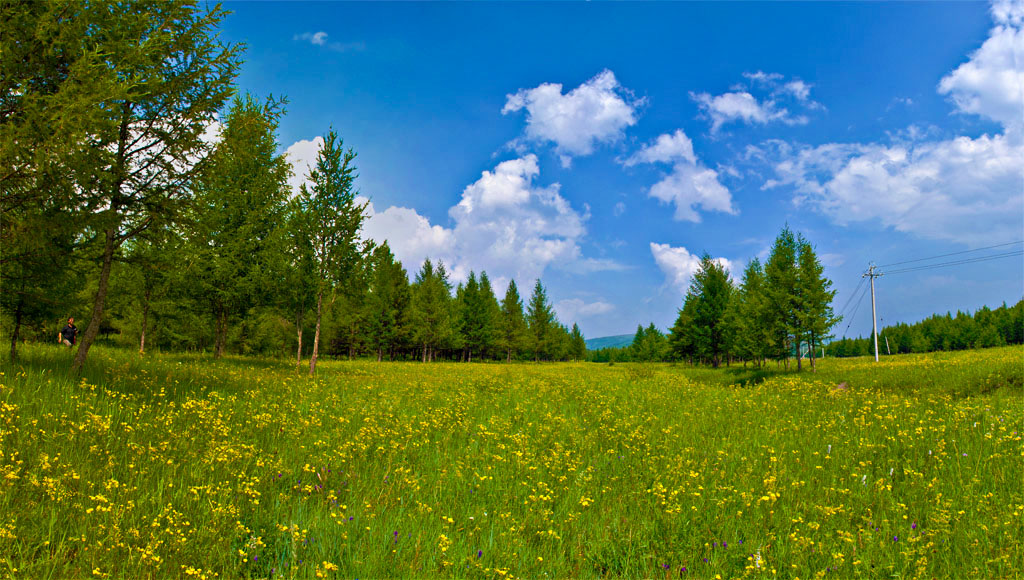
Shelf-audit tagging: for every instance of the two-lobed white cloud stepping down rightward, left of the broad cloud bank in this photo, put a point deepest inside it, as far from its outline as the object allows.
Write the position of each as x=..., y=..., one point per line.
x=691, y=185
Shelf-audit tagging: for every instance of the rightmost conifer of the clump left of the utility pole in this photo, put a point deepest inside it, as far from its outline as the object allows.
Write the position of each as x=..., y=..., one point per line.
x=816, y=295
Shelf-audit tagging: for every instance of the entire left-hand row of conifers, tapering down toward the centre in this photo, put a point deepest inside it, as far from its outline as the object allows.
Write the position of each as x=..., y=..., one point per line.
x=117, y=202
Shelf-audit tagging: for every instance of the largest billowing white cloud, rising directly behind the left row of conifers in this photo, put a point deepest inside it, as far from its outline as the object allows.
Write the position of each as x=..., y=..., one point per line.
x=504, y=224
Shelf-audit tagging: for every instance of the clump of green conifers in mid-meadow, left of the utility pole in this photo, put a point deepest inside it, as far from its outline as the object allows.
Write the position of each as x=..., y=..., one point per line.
x=775, y=313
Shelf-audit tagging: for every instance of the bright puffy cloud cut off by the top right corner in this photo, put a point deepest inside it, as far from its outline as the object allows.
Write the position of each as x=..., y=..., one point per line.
x=992, y=84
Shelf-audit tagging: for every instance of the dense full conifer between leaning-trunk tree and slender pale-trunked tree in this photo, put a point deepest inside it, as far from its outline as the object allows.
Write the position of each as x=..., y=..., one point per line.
x=240, y=206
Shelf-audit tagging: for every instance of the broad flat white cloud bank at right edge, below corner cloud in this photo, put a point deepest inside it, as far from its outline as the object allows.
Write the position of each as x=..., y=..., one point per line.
x=963, y=190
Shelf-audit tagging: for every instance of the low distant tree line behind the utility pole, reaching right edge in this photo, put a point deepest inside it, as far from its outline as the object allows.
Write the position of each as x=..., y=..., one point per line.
x=985, y=329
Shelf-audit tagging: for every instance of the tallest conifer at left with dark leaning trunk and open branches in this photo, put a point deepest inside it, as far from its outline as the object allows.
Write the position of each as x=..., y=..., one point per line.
x=167, y=73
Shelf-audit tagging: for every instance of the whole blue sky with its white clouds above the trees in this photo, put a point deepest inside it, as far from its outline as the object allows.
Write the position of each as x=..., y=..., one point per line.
x=606, y=147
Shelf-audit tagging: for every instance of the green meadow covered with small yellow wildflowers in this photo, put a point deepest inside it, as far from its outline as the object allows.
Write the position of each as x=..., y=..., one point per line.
x=180, y=467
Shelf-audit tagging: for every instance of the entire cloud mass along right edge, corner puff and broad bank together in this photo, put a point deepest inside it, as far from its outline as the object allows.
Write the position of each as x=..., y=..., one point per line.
x=963, y=190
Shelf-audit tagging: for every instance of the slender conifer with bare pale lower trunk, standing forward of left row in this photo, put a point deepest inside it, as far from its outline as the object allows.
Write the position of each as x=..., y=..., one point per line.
x=333, y=220
